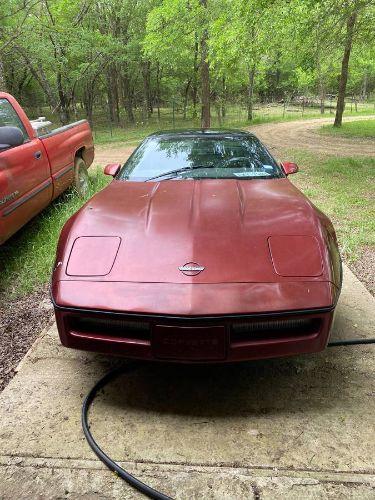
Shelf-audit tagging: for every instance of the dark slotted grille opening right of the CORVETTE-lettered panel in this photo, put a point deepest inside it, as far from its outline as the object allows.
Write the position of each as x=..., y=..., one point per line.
x=274, y=329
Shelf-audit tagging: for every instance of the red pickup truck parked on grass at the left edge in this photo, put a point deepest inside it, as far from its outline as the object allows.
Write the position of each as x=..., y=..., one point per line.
x=34, y=168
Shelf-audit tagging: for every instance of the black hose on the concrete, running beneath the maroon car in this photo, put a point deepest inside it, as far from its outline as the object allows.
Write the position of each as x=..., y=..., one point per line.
x=113, y=466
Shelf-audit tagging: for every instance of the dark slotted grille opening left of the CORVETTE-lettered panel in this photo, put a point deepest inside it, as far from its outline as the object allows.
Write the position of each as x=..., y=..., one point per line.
x=112, y=327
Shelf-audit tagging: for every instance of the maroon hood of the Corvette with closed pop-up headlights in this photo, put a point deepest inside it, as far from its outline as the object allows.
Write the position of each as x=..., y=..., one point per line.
x=146, y=231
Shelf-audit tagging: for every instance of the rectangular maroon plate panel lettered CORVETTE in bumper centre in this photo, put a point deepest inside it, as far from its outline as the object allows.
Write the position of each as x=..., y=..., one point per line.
x=189, y=343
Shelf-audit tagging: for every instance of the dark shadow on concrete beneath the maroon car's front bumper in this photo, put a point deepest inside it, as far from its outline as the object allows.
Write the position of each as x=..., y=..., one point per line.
x=272, y=387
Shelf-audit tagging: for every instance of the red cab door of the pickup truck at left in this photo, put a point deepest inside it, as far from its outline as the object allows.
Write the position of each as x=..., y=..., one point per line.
x=25, y=180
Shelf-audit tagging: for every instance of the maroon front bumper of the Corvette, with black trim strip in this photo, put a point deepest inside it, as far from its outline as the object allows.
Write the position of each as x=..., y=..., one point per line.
x=213, y=325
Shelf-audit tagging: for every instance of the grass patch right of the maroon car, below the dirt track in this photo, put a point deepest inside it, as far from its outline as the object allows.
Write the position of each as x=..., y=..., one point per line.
x=343, y=188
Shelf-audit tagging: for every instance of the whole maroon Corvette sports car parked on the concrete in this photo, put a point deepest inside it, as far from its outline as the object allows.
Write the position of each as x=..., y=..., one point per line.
x=199, y=250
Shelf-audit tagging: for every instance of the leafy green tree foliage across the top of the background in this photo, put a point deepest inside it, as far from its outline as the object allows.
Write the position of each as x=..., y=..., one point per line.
x=142, y=55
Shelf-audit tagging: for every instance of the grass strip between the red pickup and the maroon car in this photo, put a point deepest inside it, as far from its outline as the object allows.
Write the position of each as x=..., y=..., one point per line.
x=27, y=258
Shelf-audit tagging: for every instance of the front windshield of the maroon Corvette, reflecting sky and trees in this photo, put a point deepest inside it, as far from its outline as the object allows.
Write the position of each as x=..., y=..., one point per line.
x=200, y=157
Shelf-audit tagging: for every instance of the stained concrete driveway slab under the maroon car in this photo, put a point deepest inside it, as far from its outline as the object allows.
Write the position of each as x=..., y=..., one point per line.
x=295, y=428
